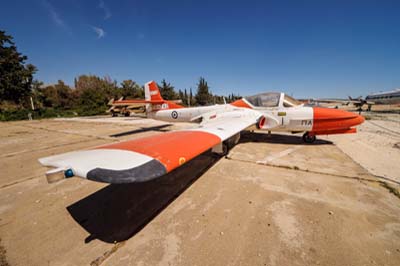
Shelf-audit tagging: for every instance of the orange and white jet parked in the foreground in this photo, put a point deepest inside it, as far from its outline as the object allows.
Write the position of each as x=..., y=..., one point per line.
x=219, y=129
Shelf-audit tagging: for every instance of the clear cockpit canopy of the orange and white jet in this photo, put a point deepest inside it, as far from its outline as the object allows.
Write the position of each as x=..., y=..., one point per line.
x=272, y=99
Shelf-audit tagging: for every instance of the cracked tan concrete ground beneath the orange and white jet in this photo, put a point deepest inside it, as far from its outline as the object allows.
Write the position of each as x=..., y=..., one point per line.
x=213, y=211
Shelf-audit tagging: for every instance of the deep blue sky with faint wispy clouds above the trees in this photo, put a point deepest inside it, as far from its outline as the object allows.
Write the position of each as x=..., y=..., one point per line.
x=305, y=48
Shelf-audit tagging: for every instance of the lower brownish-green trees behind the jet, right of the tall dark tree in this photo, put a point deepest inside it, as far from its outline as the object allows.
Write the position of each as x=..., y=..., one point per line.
x=91, y=91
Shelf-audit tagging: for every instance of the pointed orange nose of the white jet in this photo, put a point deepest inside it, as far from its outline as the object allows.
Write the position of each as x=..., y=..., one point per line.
x=334, y=119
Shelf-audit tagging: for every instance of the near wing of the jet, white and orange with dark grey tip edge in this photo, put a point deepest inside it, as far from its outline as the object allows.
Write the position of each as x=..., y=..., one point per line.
x=150, y=157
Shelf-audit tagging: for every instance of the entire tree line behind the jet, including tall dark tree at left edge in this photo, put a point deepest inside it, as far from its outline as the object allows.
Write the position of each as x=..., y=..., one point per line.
x=90, y=94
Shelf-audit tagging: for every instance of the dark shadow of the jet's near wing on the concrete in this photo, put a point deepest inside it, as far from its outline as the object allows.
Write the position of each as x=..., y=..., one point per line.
x=117, y=212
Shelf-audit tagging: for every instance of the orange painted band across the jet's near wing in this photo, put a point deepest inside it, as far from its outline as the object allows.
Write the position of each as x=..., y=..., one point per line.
x=172, y=149
